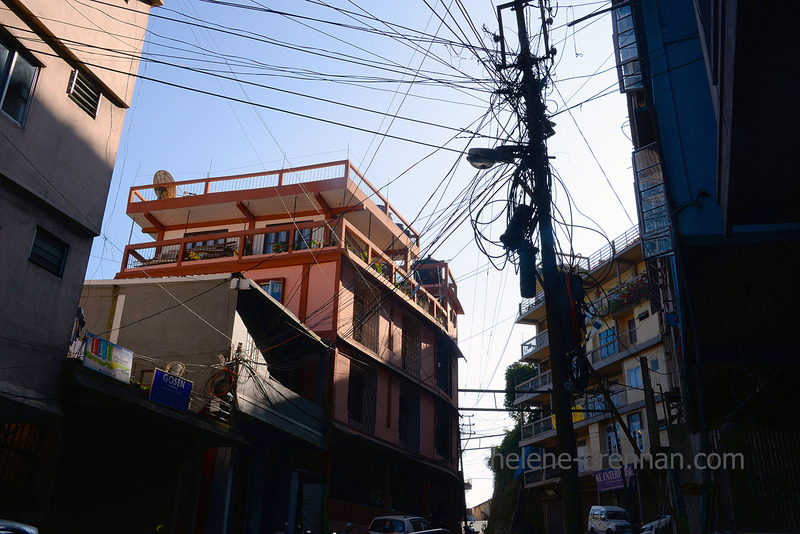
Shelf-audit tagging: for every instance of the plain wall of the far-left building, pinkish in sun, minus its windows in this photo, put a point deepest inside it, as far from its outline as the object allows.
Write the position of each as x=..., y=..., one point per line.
x=55, y=172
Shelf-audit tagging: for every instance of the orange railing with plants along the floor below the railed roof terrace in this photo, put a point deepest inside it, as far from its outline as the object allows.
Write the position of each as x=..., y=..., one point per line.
x=277, y=241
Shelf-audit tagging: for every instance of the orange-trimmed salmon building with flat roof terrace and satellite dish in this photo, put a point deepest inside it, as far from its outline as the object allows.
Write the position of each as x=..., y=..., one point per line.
x=326, y=244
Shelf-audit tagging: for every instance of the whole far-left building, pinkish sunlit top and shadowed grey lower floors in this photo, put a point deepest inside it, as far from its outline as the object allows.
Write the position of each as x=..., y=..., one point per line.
x=62, y=104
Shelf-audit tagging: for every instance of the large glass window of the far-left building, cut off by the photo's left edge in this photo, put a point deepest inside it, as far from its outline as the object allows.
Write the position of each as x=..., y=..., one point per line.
x=17, y=76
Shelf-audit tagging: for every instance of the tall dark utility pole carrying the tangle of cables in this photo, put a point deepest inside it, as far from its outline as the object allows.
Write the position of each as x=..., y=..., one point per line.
x=537, y=161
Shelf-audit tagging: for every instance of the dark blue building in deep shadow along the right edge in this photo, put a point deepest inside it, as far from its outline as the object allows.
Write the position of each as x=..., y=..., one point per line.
x=718, y=201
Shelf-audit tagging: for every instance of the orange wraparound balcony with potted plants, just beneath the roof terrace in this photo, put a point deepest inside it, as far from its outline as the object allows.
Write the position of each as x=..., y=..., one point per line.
x=281, y=245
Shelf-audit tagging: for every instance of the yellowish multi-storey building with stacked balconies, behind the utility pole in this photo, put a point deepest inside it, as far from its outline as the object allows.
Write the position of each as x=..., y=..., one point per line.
x=632, y=326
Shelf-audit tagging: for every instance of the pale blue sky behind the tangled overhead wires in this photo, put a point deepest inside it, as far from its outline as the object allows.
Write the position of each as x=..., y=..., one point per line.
x=402, y=89
